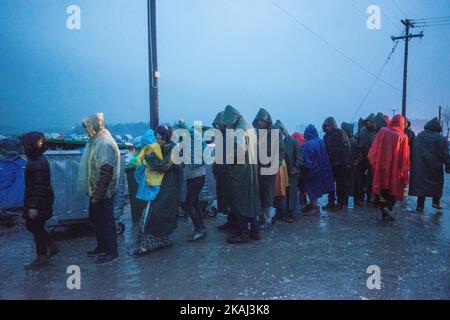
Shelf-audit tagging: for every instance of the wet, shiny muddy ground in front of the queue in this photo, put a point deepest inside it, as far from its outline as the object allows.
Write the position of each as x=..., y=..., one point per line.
x=323, y=257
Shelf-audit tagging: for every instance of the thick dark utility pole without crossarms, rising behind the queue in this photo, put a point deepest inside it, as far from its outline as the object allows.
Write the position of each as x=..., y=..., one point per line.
x=153, y=64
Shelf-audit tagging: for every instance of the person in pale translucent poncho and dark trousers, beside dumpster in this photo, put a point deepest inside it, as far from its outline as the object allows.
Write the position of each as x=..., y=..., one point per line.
x=99, y=177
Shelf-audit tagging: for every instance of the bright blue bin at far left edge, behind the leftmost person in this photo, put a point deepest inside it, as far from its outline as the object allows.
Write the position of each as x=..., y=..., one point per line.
x=12, y=183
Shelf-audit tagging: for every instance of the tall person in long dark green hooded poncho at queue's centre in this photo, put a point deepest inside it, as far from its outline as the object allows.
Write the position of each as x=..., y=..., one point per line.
x=242, y=180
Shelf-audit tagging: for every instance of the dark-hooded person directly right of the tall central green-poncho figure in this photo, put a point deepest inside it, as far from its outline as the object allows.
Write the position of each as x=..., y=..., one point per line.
x=262, y=121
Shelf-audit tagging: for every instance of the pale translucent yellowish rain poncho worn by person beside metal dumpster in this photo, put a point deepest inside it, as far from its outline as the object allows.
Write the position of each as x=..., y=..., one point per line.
x=100, y=150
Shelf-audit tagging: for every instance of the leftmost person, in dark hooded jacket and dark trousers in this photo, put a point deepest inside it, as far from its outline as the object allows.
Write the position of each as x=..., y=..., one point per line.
x=39, y=197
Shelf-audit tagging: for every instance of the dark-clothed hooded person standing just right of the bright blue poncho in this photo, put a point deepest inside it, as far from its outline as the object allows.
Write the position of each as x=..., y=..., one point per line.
x=339, y=152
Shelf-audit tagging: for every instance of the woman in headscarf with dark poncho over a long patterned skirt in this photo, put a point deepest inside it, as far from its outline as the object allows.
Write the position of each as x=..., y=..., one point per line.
x=157, y=231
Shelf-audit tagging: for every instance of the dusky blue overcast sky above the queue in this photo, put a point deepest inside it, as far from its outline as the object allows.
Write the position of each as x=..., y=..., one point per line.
x=246, y=53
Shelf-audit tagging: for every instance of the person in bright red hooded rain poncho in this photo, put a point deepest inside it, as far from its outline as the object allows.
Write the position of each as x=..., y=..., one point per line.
x=389, y=157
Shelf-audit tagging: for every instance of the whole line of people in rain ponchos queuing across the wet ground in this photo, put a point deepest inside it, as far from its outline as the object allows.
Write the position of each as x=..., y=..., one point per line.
x=375, y=166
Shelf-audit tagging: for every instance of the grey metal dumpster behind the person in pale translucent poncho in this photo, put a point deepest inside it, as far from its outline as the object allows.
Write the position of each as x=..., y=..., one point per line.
x=71, y=206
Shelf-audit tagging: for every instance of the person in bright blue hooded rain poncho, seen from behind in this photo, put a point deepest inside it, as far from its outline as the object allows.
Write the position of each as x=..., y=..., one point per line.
x=318, y=177
